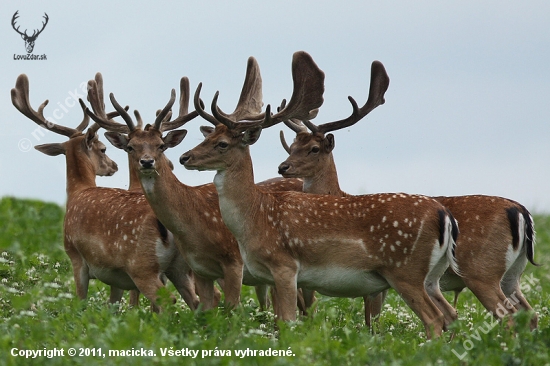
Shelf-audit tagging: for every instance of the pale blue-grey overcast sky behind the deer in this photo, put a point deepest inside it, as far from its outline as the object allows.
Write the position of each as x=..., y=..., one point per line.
x=467, y=110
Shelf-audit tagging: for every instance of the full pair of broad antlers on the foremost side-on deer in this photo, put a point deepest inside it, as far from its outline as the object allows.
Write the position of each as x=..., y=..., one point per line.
x=307, y=97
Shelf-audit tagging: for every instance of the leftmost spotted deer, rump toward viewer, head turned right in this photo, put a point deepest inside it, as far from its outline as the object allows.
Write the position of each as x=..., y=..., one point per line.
x=109, y=234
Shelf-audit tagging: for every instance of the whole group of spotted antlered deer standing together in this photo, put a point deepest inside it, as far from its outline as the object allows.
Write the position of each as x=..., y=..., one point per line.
x=297, y=234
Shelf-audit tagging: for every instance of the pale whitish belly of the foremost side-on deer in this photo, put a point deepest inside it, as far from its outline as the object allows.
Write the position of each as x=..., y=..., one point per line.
x=341, y=282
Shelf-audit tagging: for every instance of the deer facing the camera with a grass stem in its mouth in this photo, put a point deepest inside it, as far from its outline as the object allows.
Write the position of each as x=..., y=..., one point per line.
x=192, y=213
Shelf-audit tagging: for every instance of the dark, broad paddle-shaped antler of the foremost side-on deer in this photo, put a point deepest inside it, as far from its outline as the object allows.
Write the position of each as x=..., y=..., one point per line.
x=308, y=91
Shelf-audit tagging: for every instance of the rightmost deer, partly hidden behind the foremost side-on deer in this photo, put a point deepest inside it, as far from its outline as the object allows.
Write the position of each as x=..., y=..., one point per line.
x=497, y=234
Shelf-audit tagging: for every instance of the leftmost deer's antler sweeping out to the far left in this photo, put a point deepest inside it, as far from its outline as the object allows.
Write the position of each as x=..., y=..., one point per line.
x=20, y=100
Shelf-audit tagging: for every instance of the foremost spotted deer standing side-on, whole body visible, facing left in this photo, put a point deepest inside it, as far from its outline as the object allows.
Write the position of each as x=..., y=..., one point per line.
x=338, y=246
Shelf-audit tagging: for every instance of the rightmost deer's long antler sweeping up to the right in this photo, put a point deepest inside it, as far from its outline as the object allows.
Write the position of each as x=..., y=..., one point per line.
x=378, y=86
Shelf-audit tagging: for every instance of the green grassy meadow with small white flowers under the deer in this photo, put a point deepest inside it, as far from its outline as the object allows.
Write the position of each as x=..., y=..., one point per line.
x=40, y=311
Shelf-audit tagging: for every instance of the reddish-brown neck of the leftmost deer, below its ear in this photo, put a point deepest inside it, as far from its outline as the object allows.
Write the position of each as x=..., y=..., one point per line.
x=80, y=170
